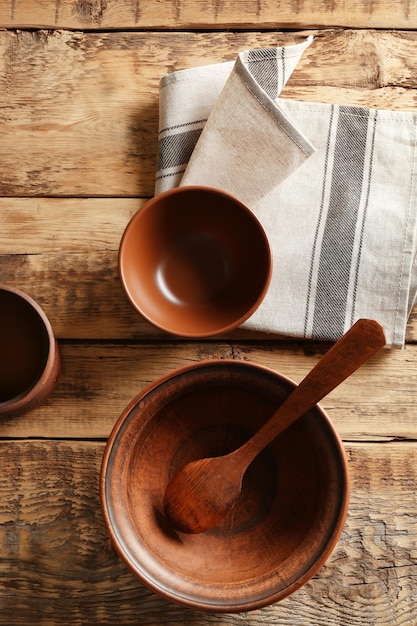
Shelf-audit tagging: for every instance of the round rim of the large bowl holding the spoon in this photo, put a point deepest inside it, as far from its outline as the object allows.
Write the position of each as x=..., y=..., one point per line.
x=185, y=599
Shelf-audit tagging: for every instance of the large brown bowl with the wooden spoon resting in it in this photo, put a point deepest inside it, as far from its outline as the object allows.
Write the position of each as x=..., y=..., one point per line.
x=291, y=511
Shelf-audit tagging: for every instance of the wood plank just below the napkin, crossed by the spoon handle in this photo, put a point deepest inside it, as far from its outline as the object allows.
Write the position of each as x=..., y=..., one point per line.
x=378, y=403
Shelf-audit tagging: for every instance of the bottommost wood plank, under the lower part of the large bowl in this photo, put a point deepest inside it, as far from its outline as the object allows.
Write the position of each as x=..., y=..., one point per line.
x=58, y=567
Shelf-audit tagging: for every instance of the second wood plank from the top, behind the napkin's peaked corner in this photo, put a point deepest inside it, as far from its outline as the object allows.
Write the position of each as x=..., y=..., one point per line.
x=79, y=111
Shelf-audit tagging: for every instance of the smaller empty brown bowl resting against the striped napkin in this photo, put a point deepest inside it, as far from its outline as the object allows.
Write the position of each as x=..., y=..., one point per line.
x=195, y=261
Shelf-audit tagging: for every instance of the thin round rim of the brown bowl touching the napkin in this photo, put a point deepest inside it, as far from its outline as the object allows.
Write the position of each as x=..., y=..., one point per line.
x=167, y=327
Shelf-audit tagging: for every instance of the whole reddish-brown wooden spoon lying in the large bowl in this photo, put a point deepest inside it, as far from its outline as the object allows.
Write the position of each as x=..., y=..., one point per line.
x=202, y=493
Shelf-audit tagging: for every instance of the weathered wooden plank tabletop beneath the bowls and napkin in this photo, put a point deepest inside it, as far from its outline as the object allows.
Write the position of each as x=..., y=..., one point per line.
x=78, y=132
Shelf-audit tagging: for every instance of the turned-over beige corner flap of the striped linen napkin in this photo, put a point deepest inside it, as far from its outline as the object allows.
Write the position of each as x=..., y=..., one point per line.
x=249, y=144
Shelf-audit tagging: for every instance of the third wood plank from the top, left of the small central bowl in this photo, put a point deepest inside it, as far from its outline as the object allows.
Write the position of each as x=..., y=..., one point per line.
x=64, y=253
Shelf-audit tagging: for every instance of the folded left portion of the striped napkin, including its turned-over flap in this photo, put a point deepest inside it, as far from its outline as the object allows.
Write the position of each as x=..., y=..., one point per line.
x=230, y=112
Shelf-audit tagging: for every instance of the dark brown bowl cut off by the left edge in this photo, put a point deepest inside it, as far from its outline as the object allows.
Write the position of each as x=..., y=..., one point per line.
x=29, y=354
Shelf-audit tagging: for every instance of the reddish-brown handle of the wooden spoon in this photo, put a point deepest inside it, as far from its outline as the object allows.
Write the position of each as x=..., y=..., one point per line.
x=358, y=344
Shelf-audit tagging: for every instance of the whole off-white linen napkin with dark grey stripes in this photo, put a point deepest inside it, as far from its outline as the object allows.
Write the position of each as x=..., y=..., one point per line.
x=334, y=187
